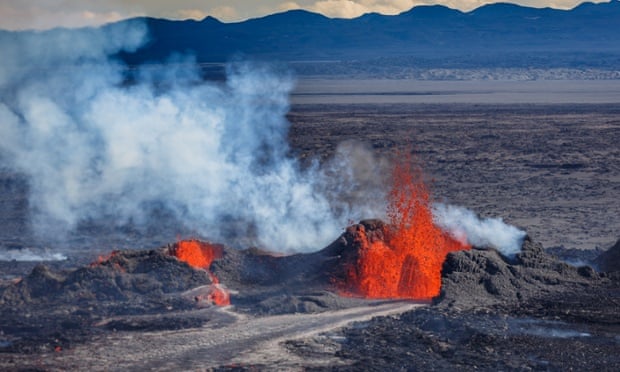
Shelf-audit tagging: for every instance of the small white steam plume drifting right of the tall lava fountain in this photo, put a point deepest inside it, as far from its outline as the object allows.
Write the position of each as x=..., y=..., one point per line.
x=462, y=223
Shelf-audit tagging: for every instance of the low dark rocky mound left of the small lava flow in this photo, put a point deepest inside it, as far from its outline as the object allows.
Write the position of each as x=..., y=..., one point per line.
x=143, y=280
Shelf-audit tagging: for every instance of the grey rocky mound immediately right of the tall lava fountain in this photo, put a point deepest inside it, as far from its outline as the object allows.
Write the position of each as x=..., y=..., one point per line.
x=481, y=278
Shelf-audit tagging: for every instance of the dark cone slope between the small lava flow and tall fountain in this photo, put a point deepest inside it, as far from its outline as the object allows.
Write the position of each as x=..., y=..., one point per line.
x=261, y=282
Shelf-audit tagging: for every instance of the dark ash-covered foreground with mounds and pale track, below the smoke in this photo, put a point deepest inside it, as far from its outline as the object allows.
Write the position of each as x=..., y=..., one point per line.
x=150, y=309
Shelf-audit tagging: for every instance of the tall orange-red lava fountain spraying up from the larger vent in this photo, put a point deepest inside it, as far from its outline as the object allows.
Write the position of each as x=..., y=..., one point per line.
x=407, y=262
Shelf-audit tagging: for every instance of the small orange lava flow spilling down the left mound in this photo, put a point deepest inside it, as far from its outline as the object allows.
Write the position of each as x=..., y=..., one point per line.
x=200, y=255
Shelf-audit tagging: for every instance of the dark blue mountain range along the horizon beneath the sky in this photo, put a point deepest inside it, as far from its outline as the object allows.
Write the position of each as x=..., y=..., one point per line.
x=490, y=35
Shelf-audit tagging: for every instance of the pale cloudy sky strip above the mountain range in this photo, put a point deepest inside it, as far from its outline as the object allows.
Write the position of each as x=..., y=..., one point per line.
x=41, y=14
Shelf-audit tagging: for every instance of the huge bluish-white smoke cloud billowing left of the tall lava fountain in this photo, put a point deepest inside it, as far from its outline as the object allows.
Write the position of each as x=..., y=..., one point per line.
x=212, y=155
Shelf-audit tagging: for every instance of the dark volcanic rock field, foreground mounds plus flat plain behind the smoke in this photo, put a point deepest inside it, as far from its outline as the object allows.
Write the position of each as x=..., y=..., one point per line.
x=126, y=299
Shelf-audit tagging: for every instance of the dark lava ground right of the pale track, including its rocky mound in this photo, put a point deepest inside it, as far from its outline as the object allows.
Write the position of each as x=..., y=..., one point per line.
x=532, y=312
